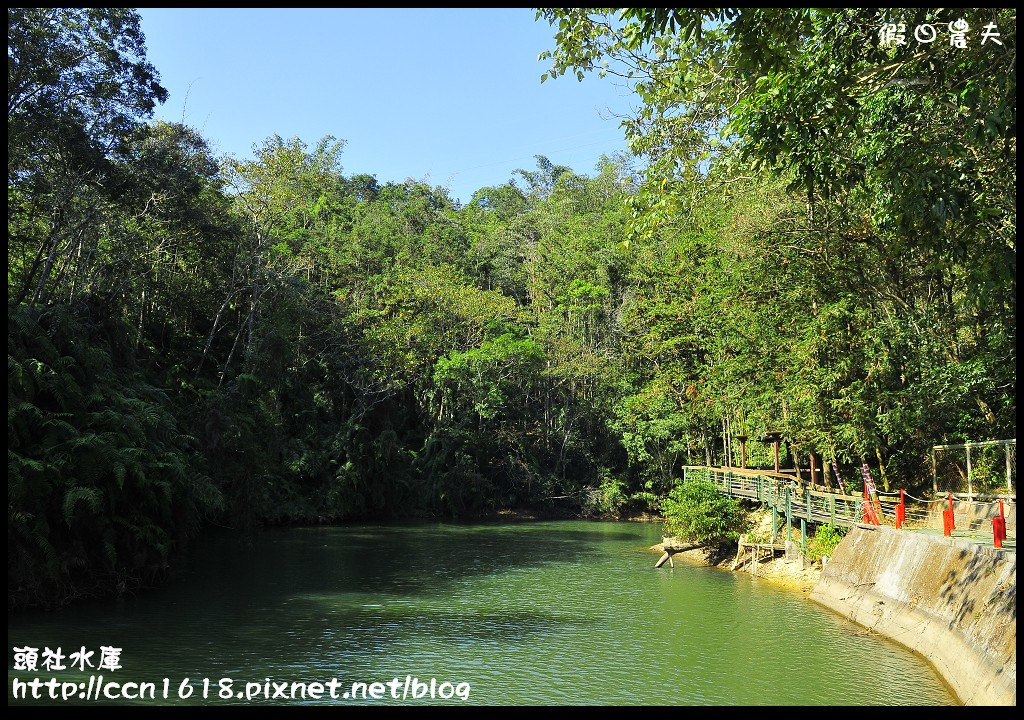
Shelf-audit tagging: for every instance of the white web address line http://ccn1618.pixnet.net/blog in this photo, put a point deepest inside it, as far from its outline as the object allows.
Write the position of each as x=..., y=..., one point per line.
x=101, y=689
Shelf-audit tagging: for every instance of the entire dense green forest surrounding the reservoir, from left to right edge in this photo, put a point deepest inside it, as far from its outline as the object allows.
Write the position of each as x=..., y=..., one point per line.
x=817, y=236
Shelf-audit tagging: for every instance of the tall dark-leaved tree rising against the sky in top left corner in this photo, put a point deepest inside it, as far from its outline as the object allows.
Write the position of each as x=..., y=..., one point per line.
x=78, y=86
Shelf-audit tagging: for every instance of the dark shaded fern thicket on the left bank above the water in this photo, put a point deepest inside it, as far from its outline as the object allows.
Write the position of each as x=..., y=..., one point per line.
x=101, y=493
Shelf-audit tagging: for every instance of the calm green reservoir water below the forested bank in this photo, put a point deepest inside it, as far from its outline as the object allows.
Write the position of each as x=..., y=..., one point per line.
x=548, y=613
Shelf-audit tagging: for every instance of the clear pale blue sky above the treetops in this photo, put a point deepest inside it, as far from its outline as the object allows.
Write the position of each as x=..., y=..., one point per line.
x=451, y=97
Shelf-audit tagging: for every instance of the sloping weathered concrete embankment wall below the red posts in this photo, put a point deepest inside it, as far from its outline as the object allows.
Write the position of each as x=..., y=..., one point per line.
x=954, y=603
